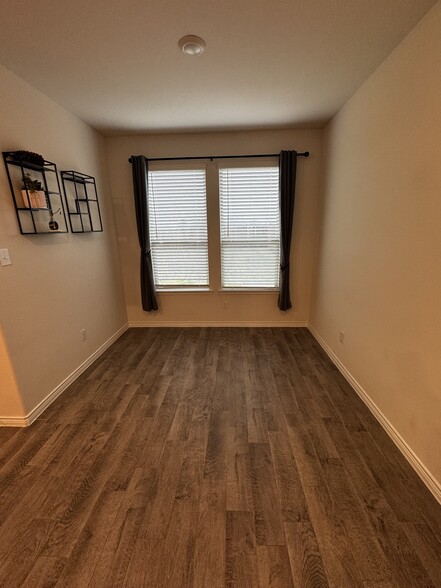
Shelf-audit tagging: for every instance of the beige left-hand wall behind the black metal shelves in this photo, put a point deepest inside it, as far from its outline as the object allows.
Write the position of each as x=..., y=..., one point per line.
x=57, y=284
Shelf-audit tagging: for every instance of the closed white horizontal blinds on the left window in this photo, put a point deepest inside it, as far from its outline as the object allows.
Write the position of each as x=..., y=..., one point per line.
x=178, y=227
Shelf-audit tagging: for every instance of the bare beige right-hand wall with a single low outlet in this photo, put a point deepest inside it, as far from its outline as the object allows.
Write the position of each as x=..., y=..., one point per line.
x=378, y=273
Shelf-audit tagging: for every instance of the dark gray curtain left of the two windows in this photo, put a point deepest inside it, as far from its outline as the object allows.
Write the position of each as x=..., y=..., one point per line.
x=140, y=191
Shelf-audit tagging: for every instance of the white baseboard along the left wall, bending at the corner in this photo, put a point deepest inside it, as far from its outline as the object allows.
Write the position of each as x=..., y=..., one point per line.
x=41, y=407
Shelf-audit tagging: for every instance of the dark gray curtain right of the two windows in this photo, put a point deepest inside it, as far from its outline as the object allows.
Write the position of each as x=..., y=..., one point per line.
x=288, y=168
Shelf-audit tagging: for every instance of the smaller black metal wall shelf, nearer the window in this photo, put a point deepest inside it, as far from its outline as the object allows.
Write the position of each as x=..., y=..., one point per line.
x=82, y=202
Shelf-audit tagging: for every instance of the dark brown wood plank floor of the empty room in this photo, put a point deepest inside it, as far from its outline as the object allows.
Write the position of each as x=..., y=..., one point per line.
x=212, y=457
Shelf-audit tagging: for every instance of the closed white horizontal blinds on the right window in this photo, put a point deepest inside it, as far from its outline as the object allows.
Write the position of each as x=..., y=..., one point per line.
x=250, y=227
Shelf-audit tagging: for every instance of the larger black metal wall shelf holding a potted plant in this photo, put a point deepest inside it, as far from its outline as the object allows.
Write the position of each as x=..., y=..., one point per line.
x=36, y=193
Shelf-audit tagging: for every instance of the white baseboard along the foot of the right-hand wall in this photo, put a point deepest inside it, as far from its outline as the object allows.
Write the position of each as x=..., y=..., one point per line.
x=426, y=476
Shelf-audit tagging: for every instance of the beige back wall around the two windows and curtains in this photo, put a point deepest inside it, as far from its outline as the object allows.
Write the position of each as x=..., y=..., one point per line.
x=206, y=307
